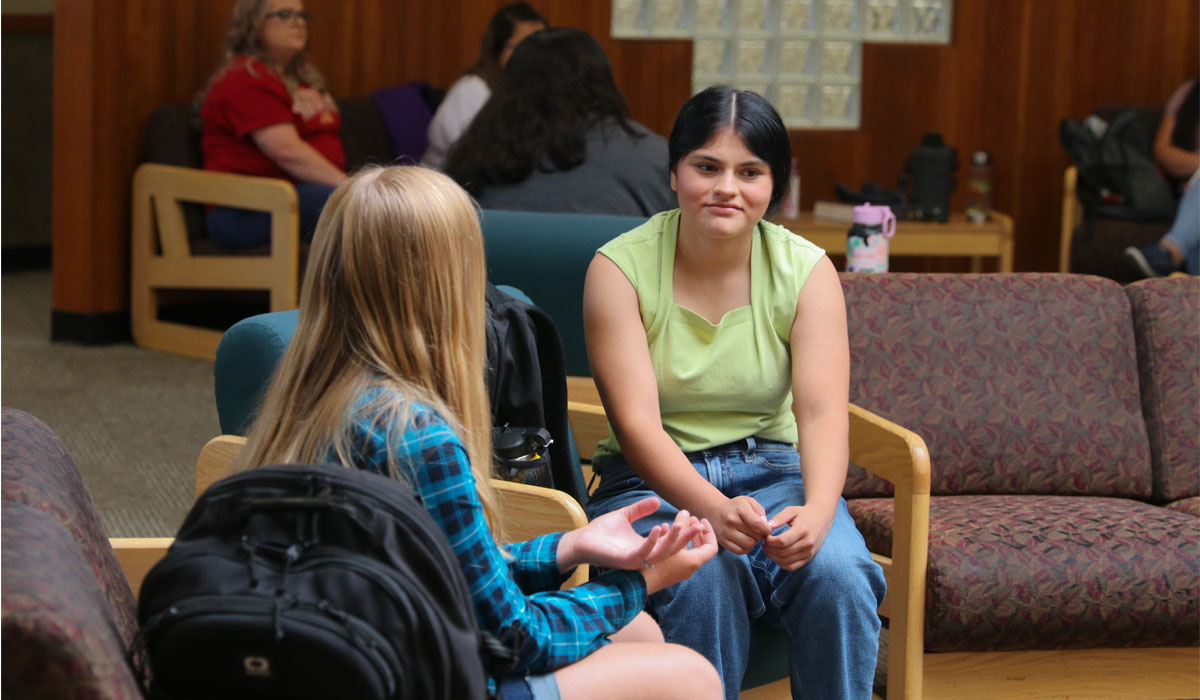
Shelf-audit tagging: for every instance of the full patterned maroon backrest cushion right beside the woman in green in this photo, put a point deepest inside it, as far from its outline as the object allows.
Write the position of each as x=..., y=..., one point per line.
x=1019, y=384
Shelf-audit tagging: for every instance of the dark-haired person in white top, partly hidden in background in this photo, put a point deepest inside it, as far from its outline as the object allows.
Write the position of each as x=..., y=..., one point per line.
x=506, y=31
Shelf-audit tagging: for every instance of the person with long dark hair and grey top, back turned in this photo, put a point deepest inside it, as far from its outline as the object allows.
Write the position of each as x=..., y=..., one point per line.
x=556, y=136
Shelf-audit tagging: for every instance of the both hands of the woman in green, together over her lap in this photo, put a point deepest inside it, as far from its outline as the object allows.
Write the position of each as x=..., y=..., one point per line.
x=742, y=523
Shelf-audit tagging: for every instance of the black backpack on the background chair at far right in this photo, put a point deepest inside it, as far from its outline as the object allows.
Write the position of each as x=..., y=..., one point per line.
x=1118, y=177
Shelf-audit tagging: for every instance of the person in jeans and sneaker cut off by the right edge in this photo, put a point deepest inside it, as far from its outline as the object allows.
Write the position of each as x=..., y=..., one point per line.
x=1178, y=152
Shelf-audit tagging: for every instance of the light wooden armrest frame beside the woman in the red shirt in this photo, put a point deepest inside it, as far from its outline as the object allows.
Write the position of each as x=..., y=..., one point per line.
x=163, y=258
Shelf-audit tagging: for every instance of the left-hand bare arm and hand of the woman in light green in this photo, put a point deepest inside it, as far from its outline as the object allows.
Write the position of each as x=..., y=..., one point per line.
x=621, y=366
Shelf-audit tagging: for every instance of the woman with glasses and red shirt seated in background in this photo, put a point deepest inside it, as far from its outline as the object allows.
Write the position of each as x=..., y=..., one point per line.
x=267, y=113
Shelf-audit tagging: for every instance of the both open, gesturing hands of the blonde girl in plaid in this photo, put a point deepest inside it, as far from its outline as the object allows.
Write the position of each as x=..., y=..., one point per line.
x=663, y=557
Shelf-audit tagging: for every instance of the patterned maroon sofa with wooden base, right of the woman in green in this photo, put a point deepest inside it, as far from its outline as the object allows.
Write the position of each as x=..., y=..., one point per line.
x=1063, y=416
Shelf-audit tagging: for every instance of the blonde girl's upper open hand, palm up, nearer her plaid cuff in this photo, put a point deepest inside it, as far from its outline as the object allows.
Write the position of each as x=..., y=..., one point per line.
x=611, y=541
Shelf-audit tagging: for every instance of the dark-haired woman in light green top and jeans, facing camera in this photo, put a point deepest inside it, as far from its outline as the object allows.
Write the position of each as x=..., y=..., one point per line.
x=718, y=343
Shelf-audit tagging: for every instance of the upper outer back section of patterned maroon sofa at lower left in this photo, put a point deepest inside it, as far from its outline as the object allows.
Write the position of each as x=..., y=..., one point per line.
x=39, y=472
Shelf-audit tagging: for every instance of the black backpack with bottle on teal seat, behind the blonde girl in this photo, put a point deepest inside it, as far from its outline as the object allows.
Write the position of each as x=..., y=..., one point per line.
x=527, y=388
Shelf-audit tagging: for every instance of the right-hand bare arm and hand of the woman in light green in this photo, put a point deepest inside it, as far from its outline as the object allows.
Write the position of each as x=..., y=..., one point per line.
x=820, y=402
